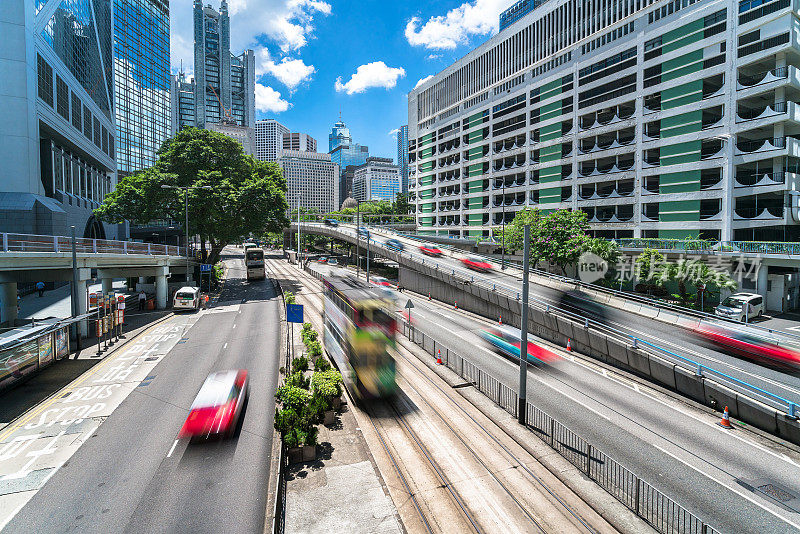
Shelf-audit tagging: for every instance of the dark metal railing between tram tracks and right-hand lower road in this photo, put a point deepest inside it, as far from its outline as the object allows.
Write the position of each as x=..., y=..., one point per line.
x=658, y=510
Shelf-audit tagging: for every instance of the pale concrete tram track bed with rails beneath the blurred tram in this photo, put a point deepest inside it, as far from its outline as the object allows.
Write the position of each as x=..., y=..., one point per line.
x=510, y=486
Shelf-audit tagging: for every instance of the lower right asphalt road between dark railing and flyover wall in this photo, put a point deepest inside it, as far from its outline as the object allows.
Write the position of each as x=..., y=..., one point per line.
x=678, y=449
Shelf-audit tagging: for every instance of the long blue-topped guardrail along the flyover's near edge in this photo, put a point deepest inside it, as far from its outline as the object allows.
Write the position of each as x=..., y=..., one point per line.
x=739, y=386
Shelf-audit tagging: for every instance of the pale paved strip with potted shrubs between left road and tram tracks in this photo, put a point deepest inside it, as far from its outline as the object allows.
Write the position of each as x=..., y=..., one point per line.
x=342, y=490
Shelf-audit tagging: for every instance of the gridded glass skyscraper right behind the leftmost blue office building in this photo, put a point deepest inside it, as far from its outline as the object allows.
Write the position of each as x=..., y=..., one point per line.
x=141, y=79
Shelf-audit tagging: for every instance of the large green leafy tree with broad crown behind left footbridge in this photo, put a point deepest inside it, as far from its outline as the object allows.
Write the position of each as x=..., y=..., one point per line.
x=247, y=196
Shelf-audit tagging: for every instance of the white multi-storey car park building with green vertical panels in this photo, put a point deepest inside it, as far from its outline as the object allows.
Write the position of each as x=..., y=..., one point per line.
x=658, y=119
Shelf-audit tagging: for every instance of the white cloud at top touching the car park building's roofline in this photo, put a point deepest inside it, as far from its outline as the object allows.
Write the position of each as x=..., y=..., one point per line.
x=480, y=17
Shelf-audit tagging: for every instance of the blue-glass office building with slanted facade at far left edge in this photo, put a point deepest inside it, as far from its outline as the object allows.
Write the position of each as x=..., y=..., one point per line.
x=58, y=139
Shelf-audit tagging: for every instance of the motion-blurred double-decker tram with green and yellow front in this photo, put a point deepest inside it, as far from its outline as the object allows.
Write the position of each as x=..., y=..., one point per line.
x=359, y=334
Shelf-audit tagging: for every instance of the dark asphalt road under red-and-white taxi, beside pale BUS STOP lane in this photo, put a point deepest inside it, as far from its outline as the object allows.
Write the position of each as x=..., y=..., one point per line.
x=132, y=476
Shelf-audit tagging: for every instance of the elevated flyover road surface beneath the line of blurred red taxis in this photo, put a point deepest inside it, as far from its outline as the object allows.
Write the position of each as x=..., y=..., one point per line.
x=673, y=338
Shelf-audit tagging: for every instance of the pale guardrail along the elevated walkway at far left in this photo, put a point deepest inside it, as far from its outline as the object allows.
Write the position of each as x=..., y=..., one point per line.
x=47, y=243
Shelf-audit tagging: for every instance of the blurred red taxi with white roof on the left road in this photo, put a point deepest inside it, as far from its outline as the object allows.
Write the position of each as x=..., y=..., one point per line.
x=218, y=406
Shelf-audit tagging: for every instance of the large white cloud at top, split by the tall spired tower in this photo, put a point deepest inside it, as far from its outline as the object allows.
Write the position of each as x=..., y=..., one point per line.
x=289, y=23
